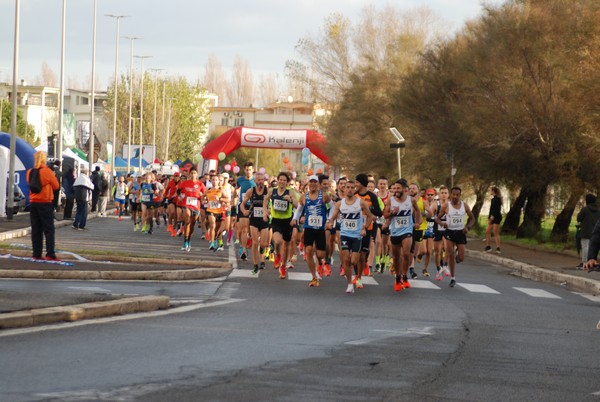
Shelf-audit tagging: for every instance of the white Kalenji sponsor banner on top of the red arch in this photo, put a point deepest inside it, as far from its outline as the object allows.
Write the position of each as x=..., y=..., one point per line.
x=287, y=139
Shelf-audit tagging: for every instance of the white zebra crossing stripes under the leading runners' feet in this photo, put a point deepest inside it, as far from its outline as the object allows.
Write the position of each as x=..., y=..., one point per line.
x=425, y=284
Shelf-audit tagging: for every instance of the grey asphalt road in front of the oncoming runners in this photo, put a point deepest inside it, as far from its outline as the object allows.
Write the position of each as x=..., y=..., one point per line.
x=493, y=337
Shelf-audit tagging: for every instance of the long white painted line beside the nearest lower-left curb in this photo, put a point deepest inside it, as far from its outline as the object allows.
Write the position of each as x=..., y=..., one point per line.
x=127, y=317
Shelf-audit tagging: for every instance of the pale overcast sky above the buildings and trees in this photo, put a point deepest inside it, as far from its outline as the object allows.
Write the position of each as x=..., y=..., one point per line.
x=180, y=34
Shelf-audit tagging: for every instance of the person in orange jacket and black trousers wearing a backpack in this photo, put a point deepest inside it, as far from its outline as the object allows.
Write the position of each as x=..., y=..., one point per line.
x=41, y=209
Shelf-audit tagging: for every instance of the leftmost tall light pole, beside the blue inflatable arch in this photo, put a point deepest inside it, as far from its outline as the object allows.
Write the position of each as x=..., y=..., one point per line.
x=13, y=120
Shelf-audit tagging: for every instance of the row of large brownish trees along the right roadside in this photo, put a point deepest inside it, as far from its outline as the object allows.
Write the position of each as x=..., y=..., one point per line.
x=512, y=99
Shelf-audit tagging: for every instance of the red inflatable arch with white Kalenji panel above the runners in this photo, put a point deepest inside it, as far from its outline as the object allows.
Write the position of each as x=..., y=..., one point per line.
x=251, y=137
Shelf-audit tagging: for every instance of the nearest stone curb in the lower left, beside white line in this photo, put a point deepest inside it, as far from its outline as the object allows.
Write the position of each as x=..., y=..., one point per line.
x=50, y=315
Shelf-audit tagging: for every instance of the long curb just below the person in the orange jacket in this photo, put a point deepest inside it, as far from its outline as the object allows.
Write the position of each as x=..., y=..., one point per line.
x=177, y=275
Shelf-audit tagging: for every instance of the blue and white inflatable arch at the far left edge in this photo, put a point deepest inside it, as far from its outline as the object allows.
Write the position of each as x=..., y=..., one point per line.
x=24, y=153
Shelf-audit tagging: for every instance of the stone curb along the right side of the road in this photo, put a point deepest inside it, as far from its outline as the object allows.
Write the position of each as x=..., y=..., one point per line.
x=538, y=274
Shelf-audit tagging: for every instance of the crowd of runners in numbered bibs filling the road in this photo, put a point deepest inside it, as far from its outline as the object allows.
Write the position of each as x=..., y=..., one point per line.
x=374, y=225
